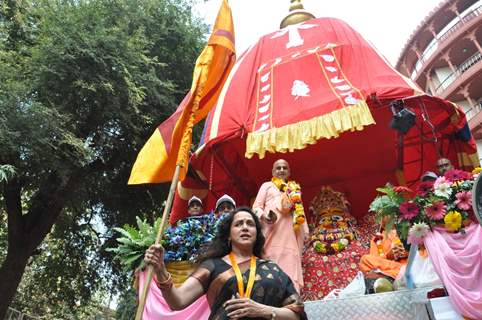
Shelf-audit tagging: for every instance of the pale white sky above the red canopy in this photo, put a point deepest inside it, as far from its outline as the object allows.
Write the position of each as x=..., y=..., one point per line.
x=386, y=24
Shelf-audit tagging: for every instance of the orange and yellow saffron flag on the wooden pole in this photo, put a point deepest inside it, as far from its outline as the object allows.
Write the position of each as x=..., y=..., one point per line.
x=170, y=143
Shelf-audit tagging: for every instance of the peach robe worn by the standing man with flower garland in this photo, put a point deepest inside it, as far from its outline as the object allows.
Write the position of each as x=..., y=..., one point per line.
x=283, y=244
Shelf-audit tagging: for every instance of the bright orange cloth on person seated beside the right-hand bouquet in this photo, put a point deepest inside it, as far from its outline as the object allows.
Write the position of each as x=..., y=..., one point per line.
x=374, y=261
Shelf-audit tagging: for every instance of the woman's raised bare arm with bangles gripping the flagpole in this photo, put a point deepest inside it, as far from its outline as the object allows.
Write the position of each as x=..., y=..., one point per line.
x=176, y=298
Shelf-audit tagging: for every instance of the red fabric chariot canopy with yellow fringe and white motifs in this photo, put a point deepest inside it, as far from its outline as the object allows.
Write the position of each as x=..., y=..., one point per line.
x=321, y=92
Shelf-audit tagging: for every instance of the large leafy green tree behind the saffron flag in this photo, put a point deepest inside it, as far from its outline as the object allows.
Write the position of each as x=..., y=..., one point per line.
x=82, y=85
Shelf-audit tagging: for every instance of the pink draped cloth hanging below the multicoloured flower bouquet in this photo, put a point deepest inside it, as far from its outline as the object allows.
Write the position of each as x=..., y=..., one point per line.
x=457, y=259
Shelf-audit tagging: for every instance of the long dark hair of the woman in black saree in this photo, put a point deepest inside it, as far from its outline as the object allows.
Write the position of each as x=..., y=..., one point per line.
x=221, y=244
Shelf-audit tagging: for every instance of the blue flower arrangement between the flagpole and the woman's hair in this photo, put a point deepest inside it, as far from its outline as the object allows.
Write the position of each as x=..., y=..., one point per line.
x=185, y=240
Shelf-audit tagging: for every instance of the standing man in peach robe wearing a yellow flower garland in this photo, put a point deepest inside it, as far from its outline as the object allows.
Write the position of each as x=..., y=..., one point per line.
x=284, y=240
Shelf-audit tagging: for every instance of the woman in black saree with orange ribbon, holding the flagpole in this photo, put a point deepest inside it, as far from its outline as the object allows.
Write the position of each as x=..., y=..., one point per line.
x=238, y=282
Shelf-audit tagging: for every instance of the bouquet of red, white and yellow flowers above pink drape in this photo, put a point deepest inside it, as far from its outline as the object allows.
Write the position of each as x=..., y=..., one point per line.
x=445, y=202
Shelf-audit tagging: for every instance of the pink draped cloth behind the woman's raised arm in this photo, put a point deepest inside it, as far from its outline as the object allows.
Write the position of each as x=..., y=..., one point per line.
x=157, y=308
